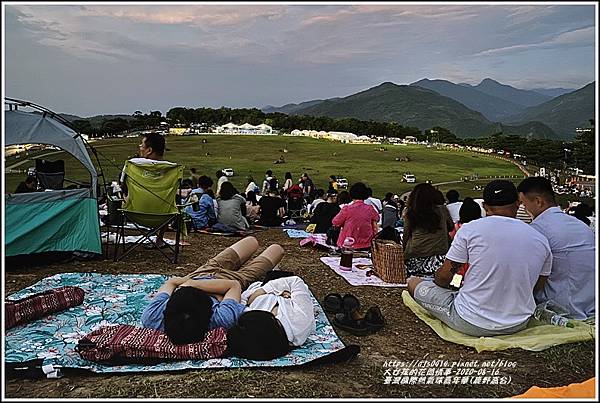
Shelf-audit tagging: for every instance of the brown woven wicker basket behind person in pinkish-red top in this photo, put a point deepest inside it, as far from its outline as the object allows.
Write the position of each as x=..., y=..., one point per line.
x=388, y=260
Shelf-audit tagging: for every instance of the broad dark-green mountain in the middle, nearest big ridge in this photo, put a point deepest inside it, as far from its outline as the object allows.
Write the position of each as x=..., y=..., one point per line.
x=418, y=107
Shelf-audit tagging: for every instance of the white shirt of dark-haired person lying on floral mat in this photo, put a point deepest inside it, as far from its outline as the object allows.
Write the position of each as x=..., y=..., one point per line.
x=296, y=314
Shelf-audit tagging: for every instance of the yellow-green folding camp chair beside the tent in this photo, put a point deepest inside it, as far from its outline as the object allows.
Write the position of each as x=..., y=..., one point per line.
x=151, y=204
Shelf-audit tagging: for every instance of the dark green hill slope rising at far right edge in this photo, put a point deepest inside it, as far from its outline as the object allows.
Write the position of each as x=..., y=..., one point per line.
x=564, y=113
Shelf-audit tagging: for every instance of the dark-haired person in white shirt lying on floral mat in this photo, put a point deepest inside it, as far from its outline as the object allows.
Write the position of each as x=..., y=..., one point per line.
x=279, y=316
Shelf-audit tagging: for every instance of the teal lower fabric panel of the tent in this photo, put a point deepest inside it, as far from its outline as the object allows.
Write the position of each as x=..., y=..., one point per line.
x=69, y=224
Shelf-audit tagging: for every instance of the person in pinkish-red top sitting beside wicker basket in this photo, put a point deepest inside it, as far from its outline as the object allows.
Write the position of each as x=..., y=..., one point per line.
x=357, y=220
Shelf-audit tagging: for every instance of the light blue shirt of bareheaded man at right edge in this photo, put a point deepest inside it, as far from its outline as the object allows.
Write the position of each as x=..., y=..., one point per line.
x=571, y=283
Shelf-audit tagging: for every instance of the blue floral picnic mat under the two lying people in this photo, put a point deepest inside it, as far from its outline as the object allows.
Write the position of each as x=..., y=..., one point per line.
x=120, y=299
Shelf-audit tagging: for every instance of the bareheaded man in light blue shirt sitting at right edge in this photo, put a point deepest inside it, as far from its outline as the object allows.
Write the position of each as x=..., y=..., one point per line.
x=571, y=283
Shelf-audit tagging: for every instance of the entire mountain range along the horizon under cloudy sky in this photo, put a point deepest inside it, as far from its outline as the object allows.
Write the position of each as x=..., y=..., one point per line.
x=467, y=110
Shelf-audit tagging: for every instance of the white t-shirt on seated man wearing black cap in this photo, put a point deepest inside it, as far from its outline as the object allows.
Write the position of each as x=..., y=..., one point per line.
x=506, y=257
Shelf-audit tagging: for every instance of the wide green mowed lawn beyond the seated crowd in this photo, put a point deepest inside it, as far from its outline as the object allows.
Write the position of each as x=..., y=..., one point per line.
x=253, y=155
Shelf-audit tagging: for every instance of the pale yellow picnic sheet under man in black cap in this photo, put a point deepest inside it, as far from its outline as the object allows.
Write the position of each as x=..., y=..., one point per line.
x=536, y=337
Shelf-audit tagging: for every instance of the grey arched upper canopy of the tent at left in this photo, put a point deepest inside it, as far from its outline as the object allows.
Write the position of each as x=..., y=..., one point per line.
x=33, y=128
